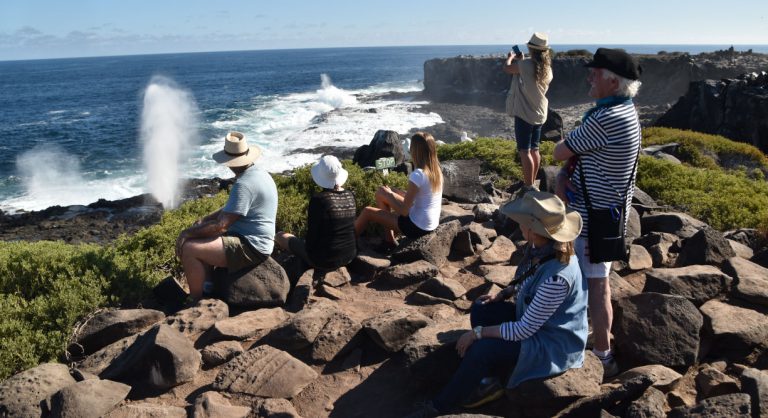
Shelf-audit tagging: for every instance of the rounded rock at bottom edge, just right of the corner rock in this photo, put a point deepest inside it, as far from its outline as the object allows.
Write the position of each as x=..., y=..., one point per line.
x=88, y=399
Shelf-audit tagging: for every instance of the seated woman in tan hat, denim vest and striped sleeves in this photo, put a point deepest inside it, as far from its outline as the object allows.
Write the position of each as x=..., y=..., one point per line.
x=544, y=332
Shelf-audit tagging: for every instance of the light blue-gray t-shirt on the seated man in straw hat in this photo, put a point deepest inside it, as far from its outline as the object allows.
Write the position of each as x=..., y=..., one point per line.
x=254, y=196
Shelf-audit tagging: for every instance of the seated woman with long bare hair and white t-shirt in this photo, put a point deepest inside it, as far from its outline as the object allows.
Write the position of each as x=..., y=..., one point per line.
x=415, y=212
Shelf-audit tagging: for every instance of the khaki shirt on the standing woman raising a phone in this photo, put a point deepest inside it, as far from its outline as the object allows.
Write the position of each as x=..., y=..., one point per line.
x=526, y=98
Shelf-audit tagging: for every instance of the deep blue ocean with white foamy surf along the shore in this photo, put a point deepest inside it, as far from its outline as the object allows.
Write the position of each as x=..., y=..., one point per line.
x=73, y=131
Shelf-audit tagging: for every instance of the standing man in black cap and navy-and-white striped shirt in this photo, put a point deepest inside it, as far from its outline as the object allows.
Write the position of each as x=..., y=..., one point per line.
x=606, y=144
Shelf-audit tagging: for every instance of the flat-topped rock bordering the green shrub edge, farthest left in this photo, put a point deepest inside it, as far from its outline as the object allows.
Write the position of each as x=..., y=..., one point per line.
x=109, y=326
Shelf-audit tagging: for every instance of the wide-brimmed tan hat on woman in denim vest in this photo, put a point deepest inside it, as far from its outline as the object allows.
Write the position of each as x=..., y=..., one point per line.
x=546, y=215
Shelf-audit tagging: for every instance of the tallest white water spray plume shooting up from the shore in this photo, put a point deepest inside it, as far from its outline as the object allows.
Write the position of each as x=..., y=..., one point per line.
x=168, y=131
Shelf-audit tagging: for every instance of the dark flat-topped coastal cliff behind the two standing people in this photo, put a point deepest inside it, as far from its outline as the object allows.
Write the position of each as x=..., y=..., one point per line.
x=481, y=81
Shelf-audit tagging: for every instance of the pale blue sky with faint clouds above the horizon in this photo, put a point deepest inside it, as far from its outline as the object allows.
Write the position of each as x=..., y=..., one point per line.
x=59, y=28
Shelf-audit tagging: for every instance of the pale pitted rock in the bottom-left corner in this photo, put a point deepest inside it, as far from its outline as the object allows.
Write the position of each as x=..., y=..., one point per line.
x=22, y=393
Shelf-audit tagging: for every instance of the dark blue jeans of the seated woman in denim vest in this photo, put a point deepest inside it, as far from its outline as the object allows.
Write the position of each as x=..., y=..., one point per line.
x=484, y=358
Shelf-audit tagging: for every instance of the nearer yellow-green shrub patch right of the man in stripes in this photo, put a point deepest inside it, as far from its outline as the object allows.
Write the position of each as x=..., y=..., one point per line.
x=723, y=200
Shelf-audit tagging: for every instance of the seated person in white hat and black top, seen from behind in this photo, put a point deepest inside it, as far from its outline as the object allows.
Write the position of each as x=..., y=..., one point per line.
x=330, y=241
